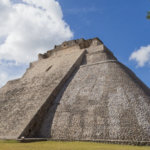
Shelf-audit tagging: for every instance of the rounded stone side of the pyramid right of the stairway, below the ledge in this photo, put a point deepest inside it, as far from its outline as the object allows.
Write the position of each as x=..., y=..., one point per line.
x=101, y=101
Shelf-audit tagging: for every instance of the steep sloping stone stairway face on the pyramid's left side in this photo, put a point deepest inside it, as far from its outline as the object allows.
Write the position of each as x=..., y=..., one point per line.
x=24, y=101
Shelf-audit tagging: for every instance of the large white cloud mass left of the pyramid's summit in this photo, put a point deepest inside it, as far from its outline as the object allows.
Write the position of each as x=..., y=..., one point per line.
x=27, y=29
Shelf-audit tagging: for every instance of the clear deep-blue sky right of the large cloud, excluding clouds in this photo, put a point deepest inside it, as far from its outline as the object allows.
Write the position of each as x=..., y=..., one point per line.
x=120, y=24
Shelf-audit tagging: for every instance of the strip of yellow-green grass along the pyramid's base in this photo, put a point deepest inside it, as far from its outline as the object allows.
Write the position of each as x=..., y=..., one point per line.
x=53, y=145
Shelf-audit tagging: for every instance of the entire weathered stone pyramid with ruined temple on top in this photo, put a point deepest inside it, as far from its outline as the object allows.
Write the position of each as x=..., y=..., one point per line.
x=78, y=91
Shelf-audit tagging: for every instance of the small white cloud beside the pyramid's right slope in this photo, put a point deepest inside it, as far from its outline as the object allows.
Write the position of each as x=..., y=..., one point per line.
x=141, y=56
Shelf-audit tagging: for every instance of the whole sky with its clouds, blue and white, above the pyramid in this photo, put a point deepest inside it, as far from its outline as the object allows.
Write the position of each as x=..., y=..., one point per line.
x=120, y=24
